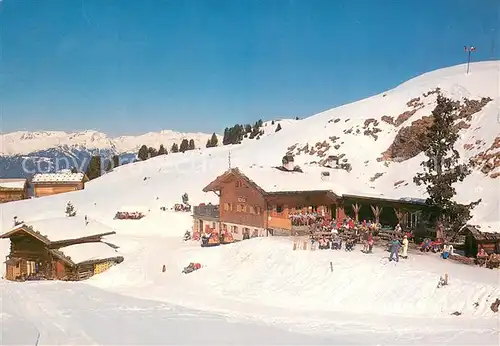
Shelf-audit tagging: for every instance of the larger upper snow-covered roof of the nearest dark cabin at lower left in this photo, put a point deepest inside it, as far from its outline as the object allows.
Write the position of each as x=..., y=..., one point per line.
x=63, y=228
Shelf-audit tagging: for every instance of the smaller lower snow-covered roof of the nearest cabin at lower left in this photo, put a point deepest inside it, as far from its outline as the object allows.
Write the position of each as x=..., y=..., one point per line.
x=89, y=251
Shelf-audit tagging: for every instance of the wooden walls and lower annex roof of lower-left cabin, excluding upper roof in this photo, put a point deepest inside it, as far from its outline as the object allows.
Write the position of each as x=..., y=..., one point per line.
x=33, y=256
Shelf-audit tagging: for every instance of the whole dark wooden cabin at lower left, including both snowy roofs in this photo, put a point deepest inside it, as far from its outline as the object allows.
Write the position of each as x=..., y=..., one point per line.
x=68, y=248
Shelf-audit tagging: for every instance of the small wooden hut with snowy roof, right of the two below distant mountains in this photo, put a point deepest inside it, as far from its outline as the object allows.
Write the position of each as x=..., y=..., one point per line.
x=46, y=184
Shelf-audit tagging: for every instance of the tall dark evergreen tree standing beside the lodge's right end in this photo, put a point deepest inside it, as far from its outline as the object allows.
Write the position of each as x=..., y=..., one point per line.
x=442, y=168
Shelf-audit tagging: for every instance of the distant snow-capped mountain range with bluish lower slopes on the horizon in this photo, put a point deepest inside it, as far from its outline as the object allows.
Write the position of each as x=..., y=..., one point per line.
x=24, y=153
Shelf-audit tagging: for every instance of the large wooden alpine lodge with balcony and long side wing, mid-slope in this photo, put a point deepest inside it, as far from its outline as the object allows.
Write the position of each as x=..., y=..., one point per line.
x=276, y=201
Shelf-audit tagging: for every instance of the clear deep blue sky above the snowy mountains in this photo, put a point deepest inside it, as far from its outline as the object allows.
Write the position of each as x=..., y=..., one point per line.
x=127, y=67
